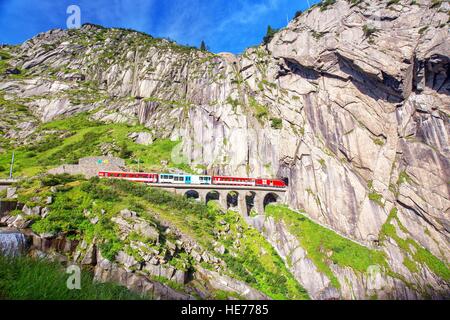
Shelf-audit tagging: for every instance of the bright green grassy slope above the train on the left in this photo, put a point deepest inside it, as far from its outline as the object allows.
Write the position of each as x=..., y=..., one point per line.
x=84, y=139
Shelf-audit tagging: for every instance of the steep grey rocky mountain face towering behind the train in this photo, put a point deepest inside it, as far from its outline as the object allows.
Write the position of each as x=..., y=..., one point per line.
x=350, y=102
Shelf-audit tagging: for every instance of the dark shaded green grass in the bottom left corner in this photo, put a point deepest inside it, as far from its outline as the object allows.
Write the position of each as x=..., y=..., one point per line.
x=27, y=279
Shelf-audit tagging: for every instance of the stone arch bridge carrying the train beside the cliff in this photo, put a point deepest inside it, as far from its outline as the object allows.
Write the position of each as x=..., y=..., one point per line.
x=244, y=198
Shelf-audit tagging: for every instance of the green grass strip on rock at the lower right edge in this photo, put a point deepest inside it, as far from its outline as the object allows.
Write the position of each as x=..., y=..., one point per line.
x=419, y=255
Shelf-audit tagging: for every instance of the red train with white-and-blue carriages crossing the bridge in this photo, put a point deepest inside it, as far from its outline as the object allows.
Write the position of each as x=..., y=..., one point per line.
x=172, y=178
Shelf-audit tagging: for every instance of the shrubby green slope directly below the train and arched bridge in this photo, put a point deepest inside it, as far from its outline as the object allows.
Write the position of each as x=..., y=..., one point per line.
x=253, y=261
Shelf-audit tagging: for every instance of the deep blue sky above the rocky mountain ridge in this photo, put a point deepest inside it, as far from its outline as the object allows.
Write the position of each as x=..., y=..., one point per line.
x=225, y=25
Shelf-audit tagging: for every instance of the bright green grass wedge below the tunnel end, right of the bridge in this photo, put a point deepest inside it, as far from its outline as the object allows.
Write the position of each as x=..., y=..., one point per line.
x=320, y=242
